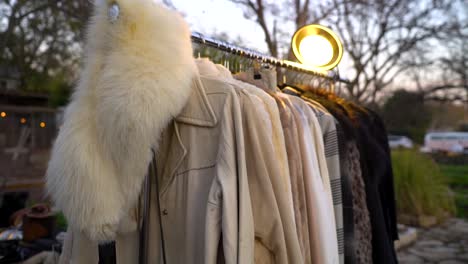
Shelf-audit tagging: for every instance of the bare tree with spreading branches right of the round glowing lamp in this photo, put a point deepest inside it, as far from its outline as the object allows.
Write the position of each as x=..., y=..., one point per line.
x=379, y=36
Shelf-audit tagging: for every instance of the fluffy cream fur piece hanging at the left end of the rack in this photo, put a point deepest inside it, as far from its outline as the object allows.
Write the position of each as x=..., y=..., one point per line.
x=137, y=76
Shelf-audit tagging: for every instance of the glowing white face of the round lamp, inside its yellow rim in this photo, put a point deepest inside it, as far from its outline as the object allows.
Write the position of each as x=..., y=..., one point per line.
x=316, y=50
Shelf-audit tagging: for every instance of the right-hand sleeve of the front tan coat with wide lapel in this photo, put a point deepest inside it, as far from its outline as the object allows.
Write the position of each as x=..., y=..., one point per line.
x=229, y=200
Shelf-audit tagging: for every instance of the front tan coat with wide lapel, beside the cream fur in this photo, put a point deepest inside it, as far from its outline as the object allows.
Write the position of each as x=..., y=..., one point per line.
x=205, y=198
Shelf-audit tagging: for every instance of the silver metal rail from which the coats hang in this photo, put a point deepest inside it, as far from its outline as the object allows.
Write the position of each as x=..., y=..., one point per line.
x=255, y=55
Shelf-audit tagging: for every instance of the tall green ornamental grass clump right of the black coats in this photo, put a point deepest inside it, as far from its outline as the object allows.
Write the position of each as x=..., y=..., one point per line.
x=421, y=188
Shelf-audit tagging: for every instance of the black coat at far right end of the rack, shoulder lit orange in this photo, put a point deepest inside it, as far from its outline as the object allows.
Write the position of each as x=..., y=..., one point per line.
x=369, y=133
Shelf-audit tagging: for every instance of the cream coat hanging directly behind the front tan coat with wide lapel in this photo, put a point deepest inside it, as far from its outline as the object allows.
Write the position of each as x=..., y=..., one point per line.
x=267, y=170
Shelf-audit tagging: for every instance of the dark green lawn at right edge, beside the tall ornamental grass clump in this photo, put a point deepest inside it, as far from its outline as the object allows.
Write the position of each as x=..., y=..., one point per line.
x=457, y=176
